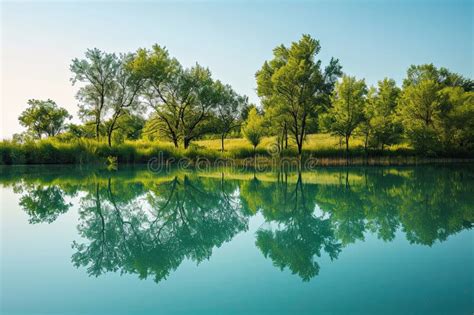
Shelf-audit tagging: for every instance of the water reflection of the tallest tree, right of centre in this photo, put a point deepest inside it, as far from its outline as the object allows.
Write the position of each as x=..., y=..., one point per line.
x=300, y=235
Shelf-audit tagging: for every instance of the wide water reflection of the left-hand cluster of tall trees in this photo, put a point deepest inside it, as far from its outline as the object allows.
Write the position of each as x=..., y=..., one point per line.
x=177, y=219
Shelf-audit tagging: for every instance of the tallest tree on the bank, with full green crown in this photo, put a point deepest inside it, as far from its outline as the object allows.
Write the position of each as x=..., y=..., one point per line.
x=294, y=82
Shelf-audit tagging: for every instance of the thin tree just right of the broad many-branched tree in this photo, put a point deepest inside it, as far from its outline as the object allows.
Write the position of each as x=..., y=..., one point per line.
x=228, y=109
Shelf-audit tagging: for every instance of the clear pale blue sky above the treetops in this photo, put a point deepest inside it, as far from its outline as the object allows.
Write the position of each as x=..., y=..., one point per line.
x=372, y=39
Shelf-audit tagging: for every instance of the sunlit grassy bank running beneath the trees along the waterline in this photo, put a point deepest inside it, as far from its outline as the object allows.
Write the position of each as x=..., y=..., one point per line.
x=325, y=148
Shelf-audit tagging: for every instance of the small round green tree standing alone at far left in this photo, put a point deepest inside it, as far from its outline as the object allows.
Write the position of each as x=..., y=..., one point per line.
x=44, y=118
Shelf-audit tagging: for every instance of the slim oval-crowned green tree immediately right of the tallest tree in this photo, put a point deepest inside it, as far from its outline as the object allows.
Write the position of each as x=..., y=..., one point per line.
x=347, y=112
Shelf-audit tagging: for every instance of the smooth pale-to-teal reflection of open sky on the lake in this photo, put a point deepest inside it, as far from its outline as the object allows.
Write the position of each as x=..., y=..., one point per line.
x=368, y=276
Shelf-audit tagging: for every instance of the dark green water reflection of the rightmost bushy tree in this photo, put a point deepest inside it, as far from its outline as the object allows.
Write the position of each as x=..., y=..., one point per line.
x=433, y=206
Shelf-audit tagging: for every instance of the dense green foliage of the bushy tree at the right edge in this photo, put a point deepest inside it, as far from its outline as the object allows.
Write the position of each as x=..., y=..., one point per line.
x=436, y=118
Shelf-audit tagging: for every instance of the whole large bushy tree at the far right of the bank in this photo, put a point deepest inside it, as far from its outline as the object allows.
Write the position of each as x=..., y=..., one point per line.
x=436, y=108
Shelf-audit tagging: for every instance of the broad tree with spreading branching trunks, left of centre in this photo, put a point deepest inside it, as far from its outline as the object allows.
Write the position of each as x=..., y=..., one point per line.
x=182, y=99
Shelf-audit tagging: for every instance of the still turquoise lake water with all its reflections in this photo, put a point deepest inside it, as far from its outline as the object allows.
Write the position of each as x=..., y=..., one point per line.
x=330, y=241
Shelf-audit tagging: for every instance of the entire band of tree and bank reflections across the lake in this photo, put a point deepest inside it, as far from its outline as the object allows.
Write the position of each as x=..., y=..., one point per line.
x=138, y=223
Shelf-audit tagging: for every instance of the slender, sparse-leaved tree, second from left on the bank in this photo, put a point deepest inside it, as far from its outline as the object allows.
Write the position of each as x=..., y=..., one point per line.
x=97, y=73
